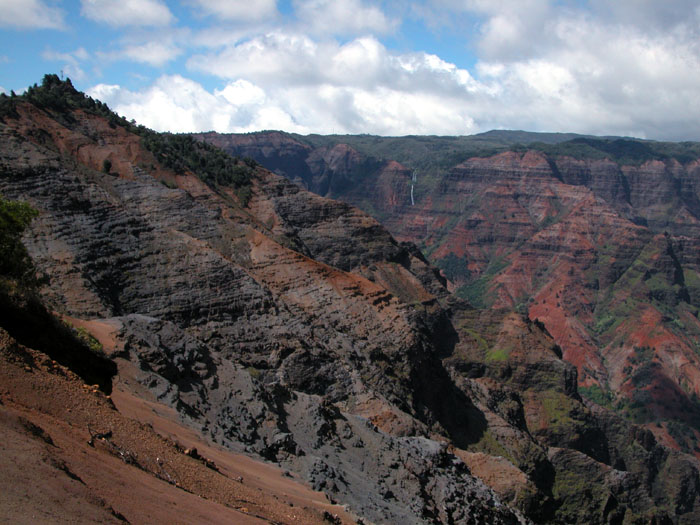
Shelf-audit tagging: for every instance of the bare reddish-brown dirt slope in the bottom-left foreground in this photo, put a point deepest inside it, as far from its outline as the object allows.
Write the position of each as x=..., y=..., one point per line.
x=55, y=469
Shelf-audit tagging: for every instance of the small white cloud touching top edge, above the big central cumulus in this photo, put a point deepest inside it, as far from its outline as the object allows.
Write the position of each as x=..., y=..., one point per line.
x=342, y=17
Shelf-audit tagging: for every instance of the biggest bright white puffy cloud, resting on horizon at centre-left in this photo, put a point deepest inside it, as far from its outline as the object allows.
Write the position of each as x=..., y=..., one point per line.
x=354, y=88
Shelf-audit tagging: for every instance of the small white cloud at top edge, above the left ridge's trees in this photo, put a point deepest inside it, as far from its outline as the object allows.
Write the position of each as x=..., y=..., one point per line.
x=127, y=12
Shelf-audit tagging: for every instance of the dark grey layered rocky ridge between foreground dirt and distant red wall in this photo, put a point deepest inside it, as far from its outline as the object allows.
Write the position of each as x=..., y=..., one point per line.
x=295, y=328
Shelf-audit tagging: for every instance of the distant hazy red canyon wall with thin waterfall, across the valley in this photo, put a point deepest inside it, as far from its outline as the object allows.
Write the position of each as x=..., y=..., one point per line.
x=596, y=238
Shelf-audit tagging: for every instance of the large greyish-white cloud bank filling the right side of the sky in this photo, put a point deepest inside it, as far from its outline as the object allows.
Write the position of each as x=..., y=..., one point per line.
x=624, y=67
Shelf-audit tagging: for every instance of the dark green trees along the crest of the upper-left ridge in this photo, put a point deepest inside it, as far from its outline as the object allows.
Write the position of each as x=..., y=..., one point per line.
x=181, y=153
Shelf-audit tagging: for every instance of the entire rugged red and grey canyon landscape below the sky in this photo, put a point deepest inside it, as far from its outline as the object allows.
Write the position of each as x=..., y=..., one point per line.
x=425, y=365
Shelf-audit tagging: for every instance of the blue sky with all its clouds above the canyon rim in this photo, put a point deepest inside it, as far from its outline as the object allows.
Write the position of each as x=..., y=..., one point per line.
x=438, y=67
